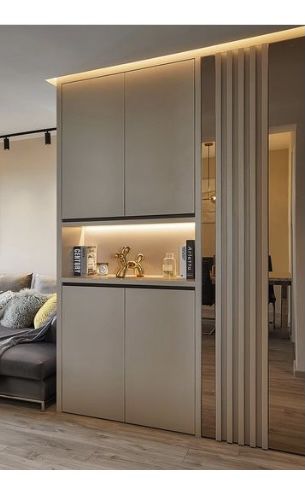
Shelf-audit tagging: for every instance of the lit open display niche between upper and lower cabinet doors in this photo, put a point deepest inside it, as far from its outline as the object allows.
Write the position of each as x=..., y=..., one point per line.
x=151, y=238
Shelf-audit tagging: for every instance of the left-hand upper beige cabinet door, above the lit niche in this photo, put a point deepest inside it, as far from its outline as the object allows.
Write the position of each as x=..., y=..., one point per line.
x=93, y=148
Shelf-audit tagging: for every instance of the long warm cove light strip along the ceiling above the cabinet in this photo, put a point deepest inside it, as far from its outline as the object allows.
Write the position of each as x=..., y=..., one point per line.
x=198, y=52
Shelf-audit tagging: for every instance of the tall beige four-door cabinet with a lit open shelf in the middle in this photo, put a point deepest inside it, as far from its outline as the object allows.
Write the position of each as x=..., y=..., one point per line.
x=128, y=348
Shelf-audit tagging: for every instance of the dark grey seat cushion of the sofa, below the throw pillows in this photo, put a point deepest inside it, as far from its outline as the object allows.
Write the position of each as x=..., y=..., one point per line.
x=35, y=361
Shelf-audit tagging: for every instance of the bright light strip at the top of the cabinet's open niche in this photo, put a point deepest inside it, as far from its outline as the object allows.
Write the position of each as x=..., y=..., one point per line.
x=173, y=227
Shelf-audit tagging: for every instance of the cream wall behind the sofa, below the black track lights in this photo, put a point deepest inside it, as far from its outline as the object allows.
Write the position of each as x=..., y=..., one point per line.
x=28, y=207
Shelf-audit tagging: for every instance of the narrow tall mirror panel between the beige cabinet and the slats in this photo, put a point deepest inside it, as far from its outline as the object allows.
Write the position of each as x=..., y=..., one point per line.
x=208, y=216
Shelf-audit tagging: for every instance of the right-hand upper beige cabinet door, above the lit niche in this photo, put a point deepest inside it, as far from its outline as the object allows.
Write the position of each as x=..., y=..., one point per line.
x=159, y=137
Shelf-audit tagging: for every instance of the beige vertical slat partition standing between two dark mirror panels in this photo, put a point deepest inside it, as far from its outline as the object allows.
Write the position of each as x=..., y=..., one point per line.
x=242, y=246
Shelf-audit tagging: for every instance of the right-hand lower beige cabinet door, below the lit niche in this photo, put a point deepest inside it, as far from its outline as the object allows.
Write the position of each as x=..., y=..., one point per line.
x=160, y=358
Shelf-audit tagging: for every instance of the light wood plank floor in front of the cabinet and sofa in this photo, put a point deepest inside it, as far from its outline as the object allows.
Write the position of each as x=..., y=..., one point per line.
x=30, y=439
